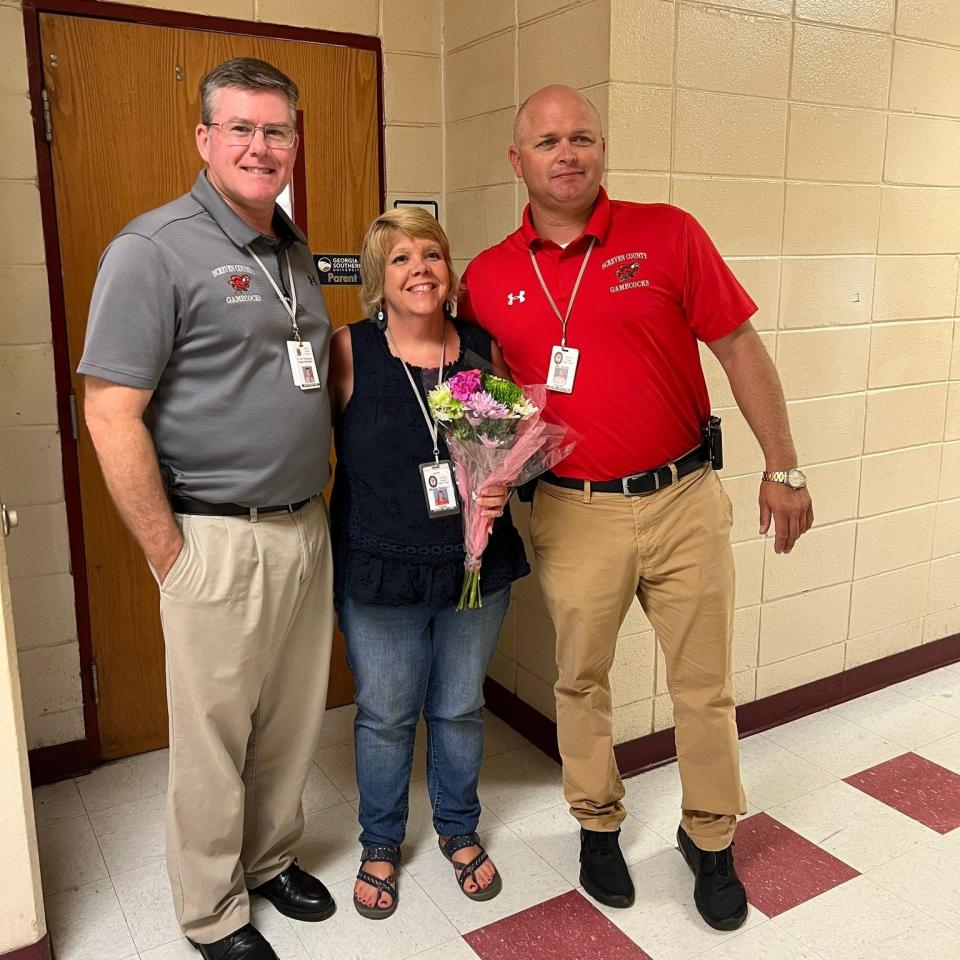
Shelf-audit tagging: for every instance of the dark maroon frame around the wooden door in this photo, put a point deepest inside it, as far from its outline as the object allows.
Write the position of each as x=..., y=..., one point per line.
x=48, y=764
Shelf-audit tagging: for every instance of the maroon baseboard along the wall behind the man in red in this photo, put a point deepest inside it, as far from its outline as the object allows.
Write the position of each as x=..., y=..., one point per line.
x=657, y=748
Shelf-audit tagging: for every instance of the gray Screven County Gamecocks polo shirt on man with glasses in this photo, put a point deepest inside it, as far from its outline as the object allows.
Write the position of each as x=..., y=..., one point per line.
x=181, y=308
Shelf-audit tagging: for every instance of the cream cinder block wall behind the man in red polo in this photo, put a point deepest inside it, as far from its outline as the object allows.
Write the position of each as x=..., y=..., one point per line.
x=819, y=143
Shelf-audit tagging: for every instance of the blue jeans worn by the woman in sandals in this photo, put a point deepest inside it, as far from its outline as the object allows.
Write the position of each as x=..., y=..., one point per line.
x=407, y=659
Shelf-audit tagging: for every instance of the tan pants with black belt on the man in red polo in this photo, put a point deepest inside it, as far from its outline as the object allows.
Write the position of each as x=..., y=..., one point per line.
x=671, y=549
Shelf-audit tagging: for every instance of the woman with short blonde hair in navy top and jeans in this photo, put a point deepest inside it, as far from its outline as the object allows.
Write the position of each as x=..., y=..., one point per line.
x=399, y=556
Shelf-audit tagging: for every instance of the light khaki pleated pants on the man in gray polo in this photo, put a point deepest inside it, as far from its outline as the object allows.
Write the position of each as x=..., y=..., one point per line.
x=247, y=620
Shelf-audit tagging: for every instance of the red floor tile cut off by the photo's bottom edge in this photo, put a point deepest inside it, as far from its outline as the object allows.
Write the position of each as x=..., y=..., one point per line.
x=564, y=928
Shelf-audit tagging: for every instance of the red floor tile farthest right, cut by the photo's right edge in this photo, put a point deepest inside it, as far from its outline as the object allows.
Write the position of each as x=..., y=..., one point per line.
x=916, y=787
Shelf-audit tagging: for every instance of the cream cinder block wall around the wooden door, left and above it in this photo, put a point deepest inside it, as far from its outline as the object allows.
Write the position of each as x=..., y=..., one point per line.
x=31, y=475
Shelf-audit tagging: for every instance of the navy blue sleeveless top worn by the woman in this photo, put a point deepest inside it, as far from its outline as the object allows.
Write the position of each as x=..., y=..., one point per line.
x=386, y=549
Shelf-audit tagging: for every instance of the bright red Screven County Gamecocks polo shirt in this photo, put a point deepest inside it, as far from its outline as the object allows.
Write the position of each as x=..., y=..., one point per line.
x=653, y=286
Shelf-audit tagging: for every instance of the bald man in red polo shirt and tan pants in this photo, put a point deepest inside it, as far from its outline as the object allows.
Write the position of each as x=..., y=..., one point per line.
x=606, y=301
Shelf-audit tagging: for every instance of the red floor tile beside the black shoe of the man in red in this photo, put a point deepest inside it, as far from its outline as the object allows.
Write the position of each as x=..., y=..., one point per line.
x=780, y=869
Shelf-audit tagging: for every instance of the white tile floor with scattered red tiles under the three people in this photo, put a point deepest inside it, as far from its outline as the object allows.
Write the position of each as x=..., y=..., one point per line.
x=851, y=849
